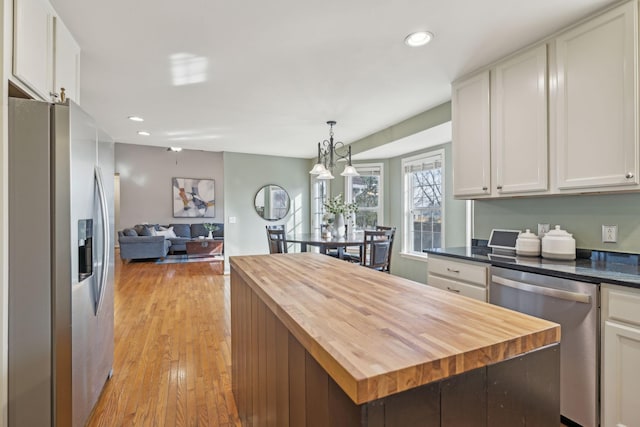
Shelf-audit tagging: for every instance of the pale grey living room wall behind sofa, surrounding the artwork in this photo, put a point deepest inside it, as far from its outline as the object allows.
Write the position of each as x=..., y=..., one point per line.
x=146, y=177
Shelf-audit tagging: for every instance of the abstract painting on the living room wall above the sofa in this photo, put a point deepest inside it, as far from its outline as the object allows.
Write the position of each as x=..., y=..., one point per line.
x=193, y=197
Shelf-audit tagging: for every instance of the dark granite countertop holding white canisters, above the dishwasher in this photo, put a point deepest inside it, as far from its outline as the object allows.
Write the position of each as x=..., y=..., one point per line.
x=589, y=266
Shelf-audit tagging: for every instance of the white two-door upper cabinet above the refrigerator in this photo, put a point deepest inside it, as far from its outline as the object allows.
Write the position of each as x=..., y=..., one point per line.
x=45, y=55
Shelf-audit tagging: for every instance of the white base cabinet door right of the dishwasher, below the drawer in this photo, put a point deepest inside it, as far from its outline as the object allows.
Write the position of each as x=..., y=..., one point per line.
x=620, y=375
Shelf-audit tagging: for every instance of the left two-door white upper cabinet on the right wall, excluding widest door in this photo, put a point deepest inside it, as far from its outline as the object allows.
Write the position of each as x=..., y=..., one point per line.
x=500, y=132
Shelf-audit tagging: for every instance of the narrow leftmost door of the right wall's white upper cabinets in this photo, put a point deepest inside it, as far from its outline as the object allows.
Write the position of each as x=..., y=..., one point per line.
x=471, y=136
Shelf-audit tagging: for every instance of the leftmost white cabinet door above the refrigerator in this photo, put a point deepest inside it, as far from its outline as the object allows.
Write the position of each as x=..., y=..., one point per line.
x=33, y=45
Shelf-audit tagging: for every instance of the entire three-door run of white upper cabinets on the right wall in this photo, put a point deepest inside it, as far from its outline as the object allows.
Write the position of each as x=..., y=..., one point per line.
x=559, y=118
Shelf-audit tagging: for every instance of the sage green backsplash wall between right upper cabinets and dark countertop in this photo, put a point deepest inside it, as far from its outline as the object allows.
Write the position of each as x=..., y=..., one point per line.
x=582, y=215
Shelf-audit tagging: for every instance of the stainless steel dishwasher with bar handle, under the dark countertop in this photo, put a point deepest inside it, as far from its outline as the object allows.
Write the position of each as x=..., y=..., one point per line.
x=575, y=306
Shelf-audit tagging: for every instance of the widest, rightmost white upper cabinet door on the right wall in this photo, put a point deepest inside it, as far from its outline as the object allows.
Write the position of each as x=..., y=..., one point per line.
x=596, y=102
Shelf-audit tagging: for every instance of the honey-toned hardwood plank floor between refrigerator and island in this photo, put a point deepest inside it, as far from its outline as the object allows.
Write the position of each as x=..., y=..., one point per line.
x=172, y=358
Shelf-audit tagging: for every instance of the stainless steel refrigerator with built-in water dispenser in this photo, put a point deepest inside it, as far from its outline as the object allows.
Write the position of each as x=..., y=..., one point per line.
x=60, y=263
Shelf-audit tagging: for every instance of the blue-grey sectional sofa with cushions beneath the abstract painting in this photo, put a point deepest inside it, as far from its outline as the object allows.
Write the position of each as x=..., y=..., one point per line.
x=155, y=241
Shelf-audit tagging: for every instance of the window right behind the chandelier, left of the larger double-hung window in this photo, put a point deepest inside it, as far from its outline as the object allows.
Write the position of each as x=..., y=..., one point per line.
x=366, y=191
